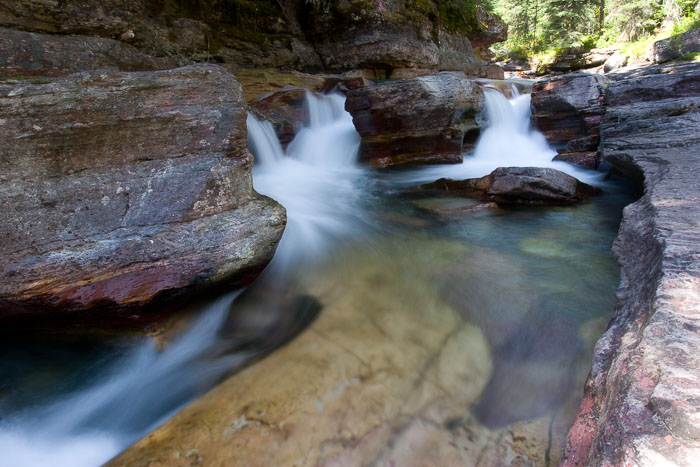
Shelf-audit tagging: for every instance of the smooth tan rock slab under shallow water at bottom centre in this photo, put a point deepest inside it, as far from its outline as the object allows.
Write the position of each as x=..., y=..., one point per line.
x=386, y=375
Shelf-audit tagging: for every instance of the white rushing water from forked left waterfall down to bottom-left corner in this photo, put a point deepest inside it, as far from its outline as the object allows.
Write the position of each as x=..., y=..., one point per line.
x=317, y=182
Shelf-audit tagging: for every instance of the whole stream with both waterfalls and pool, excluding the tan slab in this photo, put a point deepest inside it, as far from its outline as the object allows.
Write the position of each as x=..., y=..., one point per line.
x=530, y=278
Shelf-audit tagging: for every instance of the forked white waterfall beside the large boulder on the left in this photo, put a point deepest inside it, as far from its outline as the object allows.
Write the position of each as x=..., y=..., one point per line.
x=317, y=180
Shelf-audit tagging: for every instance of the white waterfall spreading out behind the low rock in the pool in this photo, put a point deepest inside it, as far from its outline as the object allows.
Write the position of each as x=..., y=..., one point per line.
x=508, y=141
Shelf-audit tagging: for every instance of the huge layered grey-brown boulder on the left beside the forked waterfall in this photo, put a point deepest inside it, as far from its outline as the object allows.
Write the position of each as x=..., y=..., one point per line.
x=126, y=189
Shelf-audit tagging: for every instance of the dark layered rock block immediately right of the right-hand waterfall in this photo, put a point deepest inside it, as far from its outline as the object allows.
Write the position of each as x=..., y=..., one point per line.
x=568, y=110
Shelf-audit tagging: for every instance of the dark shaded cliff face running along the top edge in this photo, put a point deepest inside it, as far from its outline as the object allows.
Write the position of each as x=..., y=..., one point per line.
x=404, y=37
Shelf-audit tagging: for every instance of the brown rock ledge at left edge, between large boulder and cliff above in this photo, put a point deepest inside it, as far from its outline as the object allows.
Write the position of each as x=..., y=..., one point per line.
x=25, y=54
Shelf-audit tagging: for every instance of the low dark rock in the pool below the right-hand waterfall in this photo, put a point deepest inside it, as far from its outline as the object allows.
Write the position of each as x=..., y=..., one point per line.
x=522, y=185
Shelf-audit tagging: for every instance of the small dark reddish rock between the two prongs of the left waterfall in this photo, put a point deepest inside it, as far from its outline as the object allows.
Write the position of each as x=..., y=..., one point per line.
x=285, y=110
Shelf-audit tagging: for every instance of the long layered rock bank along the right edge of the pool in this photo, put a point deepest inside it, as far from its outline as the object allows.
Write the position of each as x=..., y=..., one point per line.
x=641, y=400
